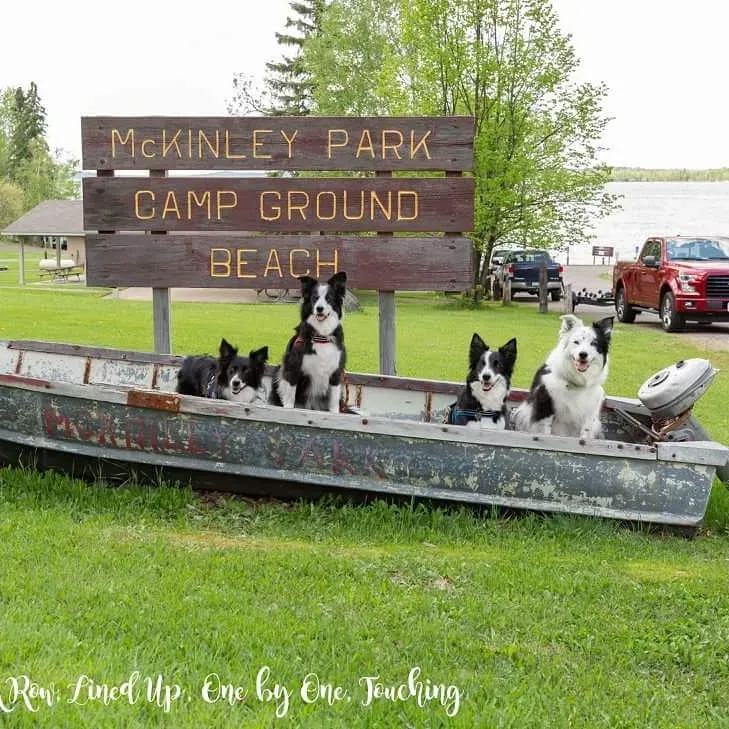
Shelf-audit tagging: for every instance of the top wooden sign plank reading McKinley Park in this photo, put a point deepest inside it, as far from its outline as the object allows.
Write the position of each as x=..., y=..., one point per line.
x=277, y=143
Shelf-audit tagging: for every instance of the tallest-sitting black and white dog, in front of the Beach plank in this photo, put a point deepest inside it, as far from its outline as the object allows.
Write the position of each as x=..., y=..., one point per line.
x=310, y=375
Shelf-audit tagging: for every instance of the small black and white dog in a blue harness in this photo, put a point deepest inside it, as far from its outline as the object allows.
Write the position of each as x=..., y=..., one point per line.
x=482, y=402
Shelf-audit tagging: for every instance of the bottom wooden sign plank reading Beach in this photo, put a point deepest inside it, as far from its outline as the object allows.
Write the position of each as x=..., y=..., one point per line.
x=256, y=262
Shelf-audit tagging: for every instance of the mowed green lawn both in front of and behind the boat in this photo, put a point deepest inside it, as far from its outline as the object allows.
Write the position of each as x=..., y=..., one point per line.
x=512, y=622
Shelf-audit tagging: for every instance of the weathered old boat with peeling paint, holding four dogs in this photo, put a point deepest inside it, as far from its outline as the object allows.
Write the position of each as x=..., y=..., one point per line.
x=92, y=411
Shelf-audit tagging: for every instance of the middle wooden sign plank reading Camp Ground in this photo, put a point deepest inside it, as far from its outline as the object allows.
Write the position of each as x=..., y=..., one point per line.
x=276, y=204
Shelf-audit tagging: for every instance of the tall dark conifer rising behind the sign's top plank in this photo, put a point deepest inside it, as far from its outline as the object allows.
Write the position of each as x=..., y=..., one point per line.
x=290, y=85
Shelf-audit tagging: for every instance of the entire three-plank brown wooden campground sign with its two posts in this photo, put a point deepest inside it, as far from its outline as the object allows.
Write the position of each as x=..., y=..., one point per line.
x=208, y=231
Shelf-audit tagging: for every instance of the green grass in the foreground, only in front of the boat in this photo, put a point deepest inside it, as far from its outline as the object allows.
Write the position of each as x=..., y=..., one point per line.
x=538, y=622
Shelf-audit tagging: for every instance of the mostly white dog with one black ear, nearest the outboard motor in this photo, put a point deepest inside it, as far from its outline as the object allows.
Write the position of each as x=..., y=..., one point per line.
x=566, y=395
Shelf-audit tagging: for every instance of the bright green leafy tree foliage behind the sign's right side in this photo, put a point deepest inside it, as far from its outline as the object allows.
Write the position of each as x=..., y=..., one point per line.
x=504, y=62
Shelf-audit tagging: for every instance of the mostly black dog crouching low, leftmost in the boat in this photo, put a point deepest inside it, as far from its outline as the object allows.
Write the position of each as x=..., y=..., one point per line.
x=229, y=377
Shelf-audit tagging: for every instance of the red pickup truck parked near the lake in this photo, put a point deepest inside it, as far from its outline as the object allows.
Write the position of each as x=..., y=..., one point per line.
x=683, y=278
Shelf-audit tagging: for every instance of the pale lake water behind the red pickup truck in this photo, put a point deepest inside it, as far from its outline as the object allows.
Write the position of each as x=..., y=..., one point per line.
x=657, y=208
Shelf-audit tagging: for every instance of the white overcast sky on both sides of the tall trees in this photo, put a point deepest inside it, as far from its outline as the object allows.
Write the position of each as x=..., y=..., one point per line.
x=663, y=61
